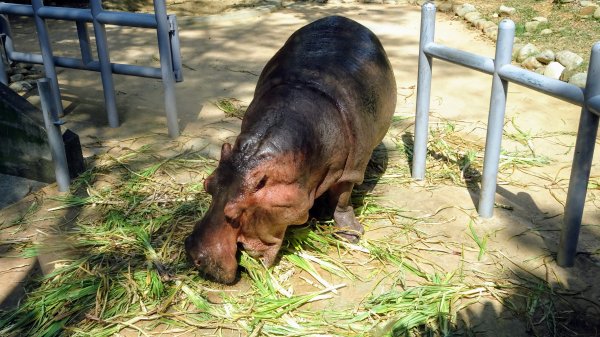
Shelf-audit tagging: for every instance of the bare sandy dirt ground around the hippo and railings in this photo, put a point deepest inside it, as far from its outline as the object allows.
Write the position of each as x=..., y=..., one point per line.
x=223, y=56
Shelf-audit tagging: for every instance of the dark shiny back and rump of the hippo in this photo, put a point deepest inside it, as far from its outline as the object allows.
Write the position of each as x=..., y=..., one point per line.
x=345, y=61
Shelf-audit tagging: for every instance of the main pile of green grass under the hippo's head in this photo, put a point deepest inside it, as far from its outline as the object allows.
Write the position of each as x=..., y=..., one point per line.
x=127, y=267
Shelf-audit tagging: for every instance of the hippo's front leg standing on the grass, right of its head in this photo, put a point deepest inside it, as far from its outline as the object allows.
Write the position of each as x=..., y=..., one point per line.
x=348, y=226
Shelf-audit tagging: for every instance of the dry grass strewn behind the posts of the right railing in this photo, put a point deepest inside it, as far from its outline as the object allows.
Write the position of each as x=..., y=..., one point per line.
x=455, y=153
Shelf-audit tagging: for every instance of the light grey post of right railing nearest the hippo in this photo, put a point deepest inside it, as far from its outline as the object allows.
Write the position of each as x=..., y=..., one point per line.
x=423, y=92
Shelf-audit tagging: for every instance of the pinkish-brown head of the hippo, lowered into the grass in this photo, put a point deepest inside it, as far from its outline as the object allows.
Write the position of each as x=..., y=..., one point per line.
x=254, y=199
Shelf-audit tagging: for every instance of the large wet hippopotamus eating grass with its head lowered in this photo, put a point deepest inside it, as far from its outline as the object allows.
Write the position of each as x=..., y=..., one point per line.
x=322, y=104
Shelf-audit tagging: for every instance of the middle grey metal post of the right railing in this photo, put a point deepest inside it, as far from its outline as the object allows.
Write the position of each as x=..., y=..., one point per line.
x=506, y=34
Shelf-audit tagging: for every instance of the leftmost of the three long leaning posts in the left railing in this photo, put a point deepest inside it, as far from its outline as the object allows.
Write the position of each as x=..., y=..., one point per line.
x=47, y=57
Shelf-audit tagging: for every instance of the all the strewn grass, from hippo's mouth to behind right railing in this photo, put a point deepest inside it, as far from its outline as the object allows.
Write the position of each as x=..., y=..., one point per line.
x=127, y=268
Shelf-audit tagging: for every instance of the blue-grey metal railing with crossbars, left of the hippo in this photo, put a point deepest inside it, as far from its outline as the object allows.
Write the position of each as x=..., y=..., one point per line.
x=168, y=45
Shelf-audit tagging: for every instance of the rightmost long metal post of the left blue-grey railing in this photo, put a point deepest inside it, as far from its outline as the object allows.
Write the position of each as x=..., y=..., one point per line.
x=166, y=65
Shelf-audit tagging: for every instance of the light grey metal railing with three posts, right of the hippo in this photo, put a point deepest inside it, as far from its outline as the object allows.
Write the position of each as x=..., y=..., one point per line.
x=502, y=73
